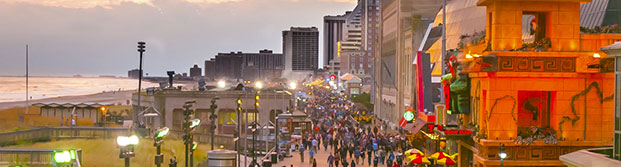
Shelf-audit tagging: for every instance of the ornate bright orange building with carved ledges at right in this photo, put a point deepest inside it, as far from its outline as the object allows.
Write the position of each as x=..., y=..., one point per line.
x=538, y=85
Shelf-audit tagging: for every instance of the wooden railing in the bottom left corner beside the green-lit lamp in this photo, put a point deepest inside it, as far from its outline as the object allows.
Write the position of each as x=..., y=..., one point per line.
x=30, y=157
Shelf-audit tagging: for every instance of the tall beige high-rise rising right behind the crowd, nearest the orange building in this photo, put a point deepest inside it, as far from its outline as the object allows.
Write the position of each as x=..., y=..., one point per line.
x=402, y=24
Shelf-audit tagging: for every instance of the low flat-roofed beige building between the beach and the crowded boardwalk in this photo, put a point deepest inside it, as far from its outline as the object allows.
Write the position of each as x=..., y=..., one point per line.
x=164, y=107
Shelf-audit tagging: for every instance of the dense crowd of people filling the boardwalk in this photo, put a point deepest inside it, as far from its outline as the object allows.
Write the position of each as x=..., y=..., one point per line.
x=349, y=143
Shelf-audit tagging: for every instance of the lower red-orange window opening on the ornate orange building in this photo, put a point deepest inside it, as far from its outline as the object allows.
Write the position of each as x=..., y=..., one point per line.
x=533, y=109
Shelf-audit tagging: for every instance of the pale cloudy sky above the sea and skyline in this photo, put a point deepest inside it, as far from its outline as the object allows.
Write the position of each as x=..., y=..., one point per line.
x=99, y=37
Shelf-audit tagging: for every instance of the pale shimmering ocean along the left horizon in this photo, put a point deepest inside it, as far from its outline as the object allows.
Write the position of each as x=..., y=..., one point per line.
x=14, y=88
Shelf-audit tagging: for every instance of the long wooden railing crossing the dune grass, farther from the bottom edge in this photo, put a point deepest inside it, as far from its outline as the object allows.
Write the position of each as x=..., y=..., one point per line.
x=47, y=134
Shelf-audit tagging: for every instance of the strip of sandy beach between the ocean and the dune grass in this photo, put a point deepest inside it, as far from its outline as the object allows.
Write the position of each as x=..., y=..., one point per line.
x=106, y=97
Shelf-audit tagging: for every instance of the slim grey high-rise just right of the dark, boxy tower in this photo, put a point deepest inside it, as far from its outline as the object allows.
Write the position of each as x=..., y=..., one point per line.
x=333, y=31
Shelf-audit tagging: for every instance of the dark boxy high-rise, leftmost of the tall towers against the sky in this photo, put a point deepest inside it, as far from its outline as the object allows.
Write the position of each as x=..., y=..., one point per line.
x=300, y=48
